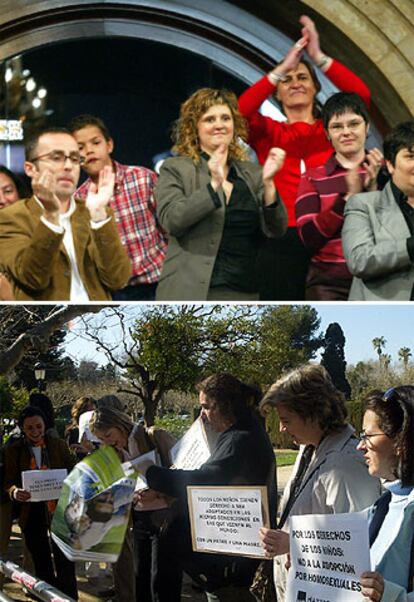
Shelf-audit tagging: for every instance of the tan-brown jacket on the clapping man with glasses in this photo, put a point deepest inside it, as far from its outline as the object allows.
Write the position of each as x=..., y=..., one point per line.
x=35, y=258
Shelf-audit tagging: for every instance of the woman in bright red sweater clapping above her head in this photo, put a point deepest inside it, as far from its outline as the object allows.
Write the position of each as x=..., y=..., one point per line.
x=295, y=85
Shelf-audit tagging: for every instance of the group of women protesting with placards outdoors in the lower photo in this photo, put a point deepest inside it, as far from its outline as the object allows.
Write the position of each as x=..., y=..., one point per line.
x=335, y=473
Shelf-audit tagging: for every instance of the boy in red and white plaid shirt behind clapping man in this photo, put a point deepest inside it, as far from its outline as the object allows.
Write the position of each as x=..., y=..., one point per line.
x=133, y=205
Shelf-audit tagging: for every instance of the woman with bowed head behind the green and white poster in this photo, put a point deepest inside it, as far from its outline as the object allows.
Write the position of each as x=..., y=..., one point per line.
x=116, y=428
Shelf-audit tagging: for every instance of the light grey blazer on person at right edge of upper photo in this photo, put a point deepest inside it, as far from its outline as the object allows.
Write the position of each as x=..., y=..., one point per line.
x=374, y=240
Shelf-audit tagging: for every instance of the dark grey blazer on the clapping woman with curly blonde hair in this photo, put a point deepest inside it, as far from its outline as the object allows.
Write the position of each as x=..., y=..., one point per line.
x=195, y=225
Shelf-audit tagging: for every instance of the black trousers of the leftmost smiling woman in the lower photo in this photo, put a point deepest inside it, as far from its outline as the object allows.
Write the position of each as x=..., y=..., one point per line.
x=51, y=565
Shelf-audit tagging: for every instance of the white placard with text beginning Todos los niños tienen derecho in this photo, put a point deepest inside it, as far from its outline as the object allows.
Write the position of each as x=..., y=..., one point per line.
x=226, y=520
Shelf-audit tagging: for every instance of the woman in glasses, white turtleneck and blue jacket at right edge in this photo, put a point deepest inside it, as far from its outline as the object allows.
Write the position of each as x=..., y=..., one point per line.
x=388, y=445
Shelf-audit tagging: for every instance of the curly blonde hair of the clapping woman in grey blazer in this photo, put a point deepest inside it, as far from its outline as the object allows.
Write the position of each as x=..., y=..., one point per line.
x=185, y=134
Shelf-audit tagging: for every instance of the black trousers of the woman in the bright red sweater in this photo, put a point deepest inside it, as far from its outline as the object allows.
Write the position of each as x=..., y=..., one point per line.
x=282, y=266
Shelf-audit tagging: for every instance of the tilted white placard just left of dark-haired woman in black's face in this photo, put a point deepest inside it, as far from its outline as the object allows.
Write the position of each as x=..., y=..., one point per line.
x=192, y=450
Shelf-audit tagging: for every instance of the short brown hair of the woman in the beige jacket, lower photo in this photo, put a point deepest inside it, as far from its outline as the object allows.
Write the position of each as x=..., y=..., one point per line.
x=309, y=392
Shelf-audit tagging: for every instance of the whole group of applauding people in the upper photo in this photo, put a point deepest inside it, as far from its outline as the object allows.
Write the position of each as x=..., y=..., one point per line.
x=314, y=206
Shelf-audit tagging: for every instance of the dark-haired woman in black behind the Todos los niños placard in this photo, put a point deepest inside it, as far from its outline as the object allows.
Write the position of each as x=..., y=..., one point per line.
x=242, y=455
